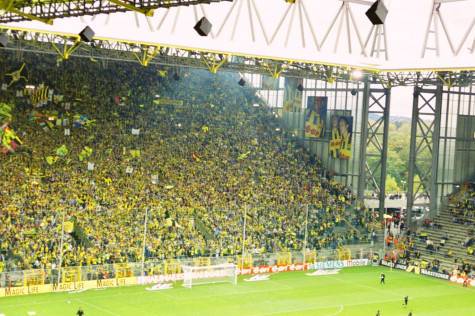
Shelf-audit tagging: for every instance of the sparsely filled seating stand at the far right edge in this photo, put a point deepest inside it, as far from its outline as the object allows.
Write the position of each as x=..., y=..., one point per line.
x=446, y=243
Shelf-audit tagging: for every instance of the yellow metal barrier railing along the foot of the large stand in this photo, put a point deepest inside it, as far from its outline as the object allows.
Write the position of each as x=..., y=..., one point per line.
x=23, y=278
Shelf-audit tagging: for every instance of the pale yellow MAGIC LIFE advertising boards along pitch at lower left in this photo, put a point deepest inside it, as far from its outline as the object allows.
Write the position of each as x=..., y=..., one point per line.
x=67, y=287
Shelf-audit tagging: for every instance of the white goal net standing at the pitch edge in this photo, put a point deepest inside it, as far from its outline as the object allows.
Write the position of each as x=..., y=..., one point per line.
x=220, y=273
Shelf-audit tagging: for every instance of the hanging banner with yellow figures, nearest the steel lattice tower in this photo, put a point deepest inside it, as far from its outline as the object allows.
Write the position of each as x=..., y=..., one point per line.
x=341, y=137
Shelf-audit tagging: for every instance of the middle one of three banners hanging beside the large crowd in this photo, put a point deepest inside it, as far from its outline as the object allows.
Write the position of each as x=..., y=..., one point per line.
x=316, y=116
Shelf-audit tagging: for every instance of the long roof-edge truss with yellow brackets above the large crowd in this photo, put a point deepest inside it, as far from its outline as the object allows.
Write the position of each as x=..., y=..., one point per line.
x=146, y=54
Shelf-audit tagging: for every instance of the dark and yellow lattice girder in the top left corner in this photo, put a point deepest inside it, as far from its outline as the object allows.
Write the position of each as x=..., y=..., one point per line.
x=48, y=10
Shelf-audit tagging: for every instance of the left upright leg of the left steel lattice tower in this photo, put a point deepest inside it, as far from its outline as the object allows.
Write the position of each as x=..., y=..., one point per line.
x=364, y=139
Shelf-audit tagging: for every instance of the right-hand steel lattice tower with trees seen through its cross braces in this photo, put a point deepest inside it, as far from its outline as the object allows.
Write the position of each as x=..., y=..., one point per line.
x=424, y=147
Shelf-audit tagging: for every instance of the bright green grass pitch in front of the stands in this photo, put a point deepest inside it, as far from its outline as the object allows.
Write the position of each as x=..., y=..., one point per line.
x=352, y=292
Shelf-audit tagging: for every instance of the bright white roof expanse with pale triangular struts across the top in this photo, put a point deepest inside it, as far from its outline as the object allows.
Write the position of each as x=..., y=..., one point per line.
x=418, y=34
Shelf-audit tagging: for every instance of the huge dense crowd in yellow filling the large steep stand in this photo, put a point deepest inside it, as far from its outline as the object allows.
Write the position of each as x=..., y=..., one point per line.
x=107, y=156
